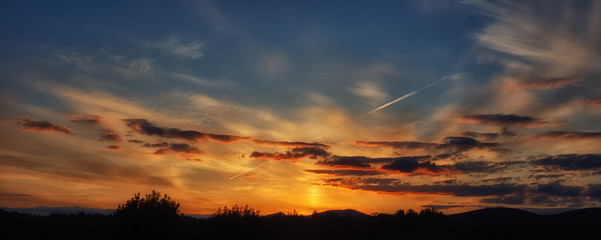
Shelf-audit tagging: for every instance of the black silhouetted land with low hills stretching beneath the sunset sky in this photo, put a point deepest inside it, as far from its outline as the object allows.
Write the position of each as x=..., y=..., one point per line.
x=492, y=223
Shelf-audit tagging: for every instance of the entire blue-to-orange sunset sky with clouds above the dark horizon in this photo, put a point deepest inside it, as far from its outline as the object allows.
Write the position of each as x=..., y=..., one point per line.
x=301, y=105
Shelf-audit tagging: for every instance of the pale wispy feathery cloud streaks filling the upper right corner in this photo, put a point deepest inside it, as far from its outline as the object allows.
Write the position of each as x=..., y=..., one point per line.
x=547, y=41
